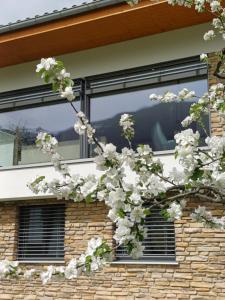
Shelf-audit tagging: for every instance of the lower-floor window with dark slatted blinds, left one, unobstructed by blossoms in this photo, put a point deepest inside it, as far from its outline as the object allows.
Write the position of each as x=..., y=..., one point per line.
x=41, y=233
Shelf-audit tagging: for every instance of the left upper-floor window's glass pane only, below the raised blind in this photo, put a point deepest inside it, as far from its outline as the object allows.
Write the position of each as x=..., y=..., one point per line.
x=19, y=128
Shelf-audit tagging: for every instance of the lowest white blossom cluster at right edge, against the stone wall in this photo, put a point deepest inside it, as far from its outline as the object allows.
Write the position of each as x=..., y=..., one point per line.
x=202, y=215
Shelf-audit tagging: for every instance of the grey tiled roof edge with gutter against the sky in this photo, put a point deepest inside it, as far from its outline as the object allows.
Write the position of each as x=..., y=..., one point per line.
x=55, y=15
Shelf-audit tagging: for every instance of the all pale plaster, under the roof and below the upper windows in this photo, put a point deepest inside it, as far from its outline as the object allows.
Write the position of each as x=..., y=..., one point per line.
x=152, y=49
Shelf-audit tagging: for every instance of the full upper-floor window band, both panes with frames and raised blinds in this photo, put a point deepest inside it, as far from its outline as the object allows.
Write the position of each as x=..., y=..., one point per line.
x=103, y=98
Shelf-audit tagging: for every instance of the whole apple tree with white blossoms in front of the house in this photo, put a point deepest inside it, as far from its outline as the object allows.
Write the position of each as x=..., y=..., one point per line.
x=200, y=172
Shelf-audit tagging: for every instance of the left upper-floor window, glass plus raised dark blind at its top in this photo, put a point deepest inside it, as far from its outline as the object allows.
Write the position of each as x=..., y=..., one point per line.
x=24, y=113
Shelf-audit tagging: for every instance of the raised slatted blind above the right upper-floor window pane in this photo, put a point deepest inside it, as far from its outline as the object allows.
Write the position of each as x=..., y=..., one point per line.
x=149, y=75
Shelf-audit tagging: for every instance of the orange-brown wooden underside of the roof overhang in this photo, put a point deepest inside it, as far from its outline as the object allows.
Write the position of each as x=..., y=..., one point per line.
x=95, y=28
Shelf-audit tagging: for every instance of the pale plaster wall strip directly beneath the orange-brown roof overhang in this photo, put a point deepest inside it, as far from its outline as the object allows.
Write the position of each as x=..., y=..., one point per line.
x=138, y=52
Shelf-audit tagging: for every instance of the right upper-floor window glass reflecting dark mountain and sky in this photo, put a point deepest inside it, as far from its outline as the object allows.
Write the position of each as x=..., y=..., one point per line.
x=155, y=123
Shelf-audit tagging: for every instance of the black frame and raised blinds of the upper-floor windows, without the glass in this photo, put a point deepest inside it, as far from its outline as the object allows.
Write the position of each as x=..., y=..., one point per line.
x=174, y=71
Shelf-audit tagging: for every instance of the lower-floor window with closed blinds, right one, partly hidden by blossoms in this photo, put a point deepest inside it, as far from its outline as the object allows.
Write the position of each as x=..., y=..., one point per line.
x=159, y=243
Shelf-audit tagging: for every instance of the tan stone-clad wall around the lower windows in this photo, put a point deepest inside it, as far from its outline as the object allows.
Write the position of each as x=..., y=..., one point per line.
x=198, y=275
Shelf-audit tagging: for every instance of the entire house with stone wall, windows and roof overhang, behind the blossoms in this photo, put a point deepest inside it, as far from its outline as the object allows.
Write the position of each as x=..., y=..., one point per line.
x=117, y=55
